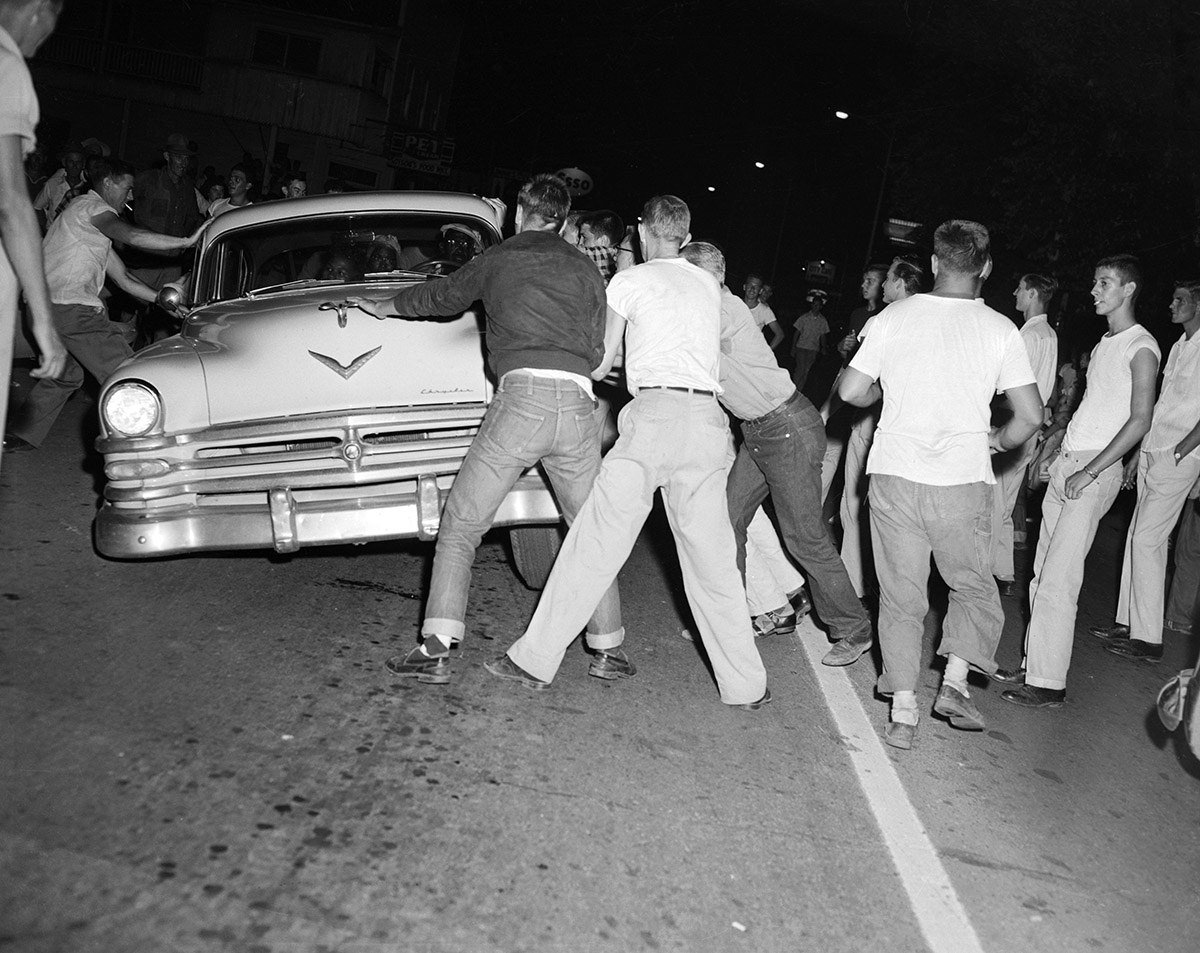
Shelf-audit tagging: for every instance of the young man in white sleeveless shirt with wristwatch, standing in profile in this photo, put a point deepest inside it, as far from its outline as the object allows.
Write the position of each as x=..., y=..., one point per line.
x=1085, y=480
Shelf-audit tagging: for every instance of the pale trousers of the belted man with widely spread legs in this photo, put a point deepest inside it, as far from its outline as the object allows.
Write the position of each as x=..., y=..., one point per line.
x=679, y=443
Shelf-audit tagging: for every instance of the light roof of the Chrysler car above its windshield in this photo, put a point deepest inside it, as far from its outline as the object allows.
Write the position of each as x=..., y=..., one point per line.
x=449, y=203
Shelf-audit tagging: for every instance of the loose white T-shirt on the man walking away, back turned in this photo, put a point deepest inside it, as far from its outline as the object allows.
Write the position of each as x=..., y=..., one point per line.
x=939, y=361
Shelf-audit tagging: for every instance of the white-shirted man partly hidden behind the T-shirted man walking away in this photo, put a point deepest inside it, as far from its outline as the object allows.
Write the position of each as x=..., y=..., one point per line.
x=1033, y=295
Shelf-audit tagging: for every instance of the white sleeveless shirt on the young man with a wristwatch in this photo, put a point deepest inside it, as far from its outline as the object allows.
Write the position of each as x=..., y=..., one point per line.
x=1106, y=405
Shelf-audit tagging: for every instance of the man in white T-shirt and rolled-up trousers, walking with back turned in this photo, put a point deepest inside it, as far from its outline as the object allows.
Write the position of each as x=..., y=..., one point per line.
x=938, y=359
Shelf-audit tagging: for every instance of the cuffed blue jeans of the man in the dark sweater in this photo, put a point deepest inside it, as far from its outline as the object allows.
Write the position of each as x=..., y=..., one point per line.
x=531, y=421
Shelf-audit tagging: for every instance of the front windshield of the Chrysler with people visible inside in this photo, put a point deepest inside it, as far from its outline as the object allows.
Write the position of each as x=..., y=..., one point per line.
x=337, y=249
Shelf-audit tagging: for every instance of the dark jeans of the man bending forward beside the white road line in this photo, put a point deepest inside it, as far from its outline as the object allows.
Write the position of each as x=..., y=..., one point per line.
x=782, y=455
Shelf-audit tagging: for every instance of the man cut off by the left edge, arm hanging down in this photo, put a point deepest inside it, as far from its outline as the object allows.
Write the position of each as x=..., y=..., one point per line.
x=25, y=27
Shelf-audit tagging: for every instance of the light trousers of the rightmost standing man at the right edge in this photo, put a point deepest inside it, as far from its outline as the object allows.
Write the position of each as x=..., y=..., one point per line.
x=1163, y=489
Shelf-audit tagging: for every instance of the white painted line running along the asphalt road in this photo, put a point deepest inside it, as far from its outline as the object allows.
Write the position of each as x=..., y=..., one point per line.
x=940, y=914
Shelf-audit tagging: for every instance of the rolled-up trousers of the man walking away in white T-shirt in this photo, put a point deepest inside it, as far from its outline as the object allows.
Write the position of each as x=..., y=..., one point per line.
x=909, y=523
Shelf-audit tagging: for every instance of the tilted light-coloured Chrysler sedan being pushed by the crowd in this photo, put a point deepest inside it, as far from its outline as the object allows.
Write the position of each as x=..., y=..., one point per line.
x=283, y=416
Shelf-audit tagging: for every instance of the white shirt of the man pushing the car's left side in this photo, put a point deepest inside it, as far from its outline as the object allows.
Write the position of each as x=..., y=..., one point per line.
x=76, y=253
